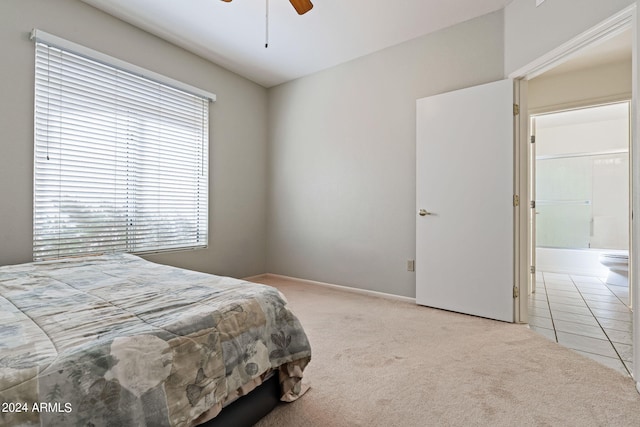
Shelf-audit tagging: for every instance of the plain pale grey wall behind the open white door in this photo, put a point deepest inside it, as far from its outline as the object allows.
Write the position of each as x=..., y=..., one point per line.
x=342, y=156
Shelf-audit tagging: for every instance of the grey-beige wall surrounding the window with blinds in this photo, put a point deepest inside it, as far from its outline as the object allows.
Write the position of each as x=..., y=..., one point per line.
x=237, y=238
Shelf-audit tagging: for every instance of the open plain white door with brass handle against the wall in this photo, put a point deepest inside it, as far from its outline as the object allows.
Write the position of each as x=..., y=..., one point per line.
x=465, y=191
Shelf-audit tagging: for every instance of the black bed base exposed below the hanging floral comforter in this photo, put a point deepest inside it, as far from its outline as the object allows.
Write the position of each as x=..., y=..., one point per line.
x=249, y=409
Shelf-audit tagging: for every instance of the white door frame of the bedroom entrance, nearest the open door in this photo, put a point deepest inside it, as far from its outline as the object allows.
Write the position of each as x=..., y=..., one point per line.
x=622, y=21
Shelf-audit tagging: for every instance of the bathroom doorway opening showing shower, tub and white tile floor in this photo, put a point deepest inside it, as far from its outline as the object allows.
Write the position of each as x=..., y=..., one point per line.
x=582, y=219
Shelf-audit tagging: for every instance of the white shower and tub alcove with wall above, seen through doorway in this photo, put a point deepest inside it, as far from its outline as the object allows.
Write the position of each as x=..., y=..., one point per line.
x=582, y=187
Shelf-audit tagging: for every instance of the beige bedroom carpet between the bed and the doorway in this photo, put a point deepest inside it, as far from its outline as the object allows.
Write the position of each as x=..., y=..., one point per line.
x=380, y=362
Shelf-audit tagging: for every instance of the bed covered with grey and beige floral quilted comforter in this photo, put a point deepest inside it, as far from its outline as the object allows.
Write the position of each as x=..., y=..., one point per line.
x=117, y=340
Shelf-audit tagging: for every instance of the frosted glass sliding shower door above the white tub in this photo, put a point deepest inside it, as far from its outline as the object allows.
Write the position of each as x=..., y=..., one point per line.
x=581, y=201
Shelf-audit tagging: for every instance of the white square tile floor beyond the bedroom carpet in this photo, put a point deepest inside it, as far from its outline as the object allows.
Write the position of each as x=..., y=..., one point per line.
x=586, y=315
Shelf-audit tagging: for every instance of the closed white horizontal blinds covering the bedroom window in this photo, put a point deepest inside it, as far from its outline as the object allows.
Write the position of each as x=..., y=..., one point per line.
x=121, y=161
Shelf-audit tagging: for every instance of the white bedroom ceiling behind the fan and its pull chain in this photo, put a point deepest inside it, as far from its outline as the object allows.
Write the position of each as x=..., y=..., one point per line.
x=233, y=35
